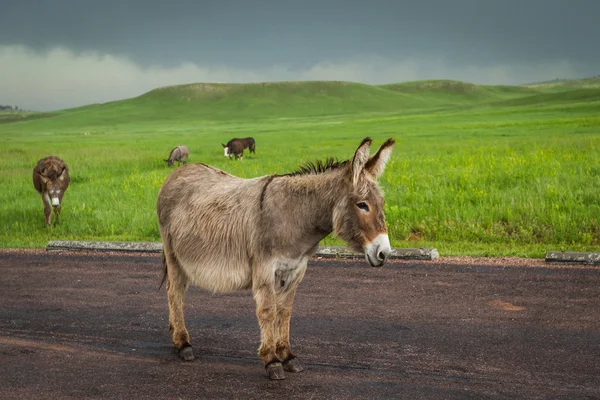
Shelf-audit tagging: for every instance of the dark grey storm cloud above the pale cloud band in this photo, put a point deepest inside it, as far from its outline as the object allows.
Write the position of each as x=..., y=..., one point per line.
x=266, y=32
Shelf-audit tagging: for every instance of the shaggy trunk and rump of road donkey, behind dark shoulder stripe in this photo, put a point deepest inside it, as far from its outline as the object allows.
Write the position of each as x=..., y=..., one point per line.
x=208, y=218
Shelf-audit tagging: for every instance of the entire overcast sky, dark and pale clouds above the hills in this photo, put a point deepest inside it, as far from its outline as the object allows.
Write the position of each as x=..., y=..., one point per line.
x=63, y=53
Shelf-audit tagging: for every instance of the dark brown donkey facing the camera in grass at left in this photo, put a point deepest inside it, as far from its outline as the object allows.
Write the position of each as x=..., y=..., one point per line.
x=51, y=180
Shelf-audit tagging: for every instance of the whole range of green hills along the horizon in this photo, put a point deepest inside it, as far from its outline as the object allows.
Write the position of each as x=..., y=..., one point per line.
x=237, y=102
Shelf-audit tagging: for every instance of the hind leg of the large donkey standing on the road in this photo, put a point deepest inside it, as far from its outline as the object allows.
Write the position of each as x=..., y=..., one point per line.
x=177, y=284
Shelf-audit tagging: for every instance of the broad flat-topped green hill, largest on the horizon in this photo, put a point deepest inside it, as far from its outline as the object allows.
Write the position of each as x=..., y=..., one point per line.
x=211, y=101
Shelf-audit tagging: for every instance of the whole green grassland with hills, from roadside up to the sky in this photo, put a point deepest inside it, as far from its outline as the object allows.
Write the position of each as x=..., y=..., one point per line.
x=477, y=170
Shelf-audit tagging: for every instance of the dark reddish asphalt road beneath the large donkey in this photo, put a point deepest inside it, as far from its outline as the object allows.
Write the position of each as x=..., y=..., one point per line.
x=85, y=325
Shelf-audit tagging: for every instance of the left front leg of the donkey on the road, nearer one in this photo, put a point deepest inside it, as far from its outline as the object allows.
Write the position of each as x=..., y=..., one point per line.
x=266, y=311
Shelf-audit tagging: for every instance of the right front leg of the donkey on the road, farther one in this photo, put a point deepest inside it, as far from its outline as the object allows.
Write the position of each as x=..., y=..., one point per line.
x=285, y=300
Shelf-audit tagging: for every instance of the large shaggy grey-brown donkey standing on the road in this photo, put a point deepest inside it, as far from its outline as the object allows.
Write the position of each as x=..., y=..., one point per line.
x=225, y=233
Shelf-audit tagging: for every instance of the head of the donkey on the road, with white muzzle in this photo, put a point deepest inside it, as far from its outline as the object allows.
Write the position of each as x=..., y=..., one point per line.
x=359, y=218
